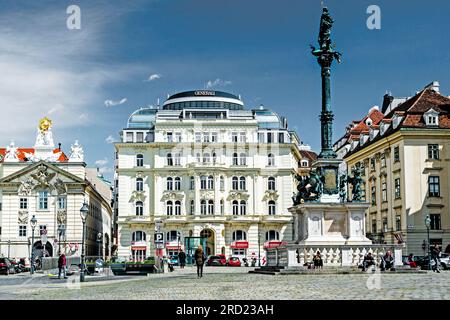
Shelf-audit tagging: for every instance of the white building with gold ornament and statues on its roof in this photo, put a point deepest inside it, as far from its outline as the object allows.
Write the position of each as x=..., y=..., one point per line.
x=46, y=183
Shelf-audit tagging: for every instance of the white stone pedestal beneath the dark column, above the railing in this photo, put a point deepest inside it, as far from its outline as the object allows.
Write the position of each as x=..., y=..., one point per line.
x=330, y=223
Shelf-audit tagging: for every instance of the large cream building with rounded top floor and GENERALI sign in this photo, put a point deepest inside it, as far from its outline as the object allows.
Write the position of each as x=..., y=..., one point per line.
x=206, y=167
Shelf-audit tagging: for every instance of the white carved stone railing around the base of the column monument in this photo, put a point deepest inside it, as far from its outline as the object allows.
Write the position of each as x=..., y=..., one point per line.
x=294, y=255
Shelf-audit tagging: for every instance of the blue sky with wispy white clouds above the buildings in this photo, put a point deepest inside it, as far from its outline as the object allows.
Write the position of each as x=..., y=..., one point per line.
x=129, y=54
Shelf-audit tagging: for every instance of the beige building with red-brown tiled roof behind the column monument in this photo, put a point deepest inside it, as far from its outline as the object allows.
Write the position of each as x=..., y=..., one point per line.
x=404, y=152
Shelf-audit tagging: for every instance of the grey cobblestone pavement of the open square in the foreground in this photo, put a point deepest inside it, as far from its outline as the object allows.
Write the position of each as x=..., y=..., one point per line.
x=237, y=284
